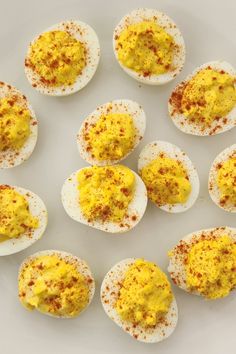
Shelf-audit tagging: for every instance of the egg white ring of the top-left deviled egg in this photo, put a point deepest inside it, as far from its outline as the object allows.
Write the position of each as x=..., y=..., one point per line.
x=83, y=33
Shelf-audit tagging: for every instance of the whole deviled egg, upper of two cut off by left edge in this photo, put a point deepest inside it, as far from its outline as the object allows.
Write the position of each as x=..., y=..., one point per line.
x=18, y=127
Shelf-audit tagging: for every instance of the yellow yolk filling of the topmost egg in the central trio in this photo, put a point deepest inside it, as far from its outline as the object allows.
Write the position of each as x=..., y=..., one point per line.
x=111, y=137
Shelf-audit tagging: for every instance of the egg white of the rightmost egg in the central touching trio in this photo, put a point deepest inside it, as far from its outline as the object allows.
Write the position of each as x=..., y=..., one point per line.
x=151, y=151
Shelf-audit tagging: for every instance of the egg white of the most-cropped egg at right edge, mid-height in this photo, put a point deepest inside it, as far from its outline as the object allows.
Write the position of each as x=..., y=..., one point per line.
x=214, y=191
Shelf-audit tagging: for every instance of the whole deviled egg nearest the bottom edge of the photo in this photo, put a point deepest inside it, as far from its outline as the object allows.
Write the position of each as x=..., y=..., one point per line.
x=137, y=296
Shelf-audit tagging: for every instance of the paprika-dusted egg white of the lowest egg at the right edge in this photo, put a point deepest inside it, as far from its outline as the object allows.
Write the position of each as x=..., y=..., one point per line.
x=176, y=266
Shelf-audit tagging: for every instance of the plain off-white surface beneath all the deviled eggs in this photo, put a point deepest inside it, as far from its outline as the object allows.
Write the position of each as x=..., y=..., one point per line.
x=204, y=327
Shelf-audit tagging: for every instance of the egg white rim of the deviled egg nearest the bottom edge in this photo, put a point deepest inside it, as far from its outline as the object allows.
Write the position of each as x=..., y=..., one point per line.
x=109, y=292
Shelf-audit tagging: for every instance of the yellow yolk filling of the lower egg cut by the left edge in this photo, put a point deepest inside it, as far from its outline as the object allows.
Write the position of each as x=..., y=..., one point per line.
x=15, y=216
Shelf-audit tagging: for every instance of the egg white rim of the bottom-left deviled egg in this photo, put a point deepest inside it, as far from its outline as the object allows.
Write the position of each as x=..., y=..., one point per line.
x=82, y=267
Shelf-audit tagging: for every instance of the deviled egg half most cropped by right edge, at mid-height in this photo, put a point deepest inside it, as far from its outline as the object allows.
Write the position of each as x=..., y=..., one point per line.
x=222, y=180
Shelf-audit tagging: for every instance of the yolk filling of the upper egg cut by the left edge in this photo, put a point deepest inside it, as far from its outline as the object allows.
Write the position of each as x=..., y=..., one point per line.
x=14, y=125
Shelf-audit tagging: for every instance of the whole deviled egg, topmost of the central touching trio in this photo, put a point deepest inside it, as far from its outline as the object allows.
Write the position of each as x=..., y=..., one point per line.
x=111, y=132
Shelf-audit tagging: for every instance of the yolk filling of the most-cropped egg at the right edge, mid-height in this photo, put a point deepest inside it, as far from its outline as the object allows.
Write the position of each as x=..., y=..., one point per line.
x=226, y=182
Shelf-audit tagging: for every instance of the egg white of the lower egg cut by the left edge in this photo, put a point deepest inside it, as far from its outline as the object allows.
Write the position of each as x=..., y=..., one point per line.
x=38, y=209
